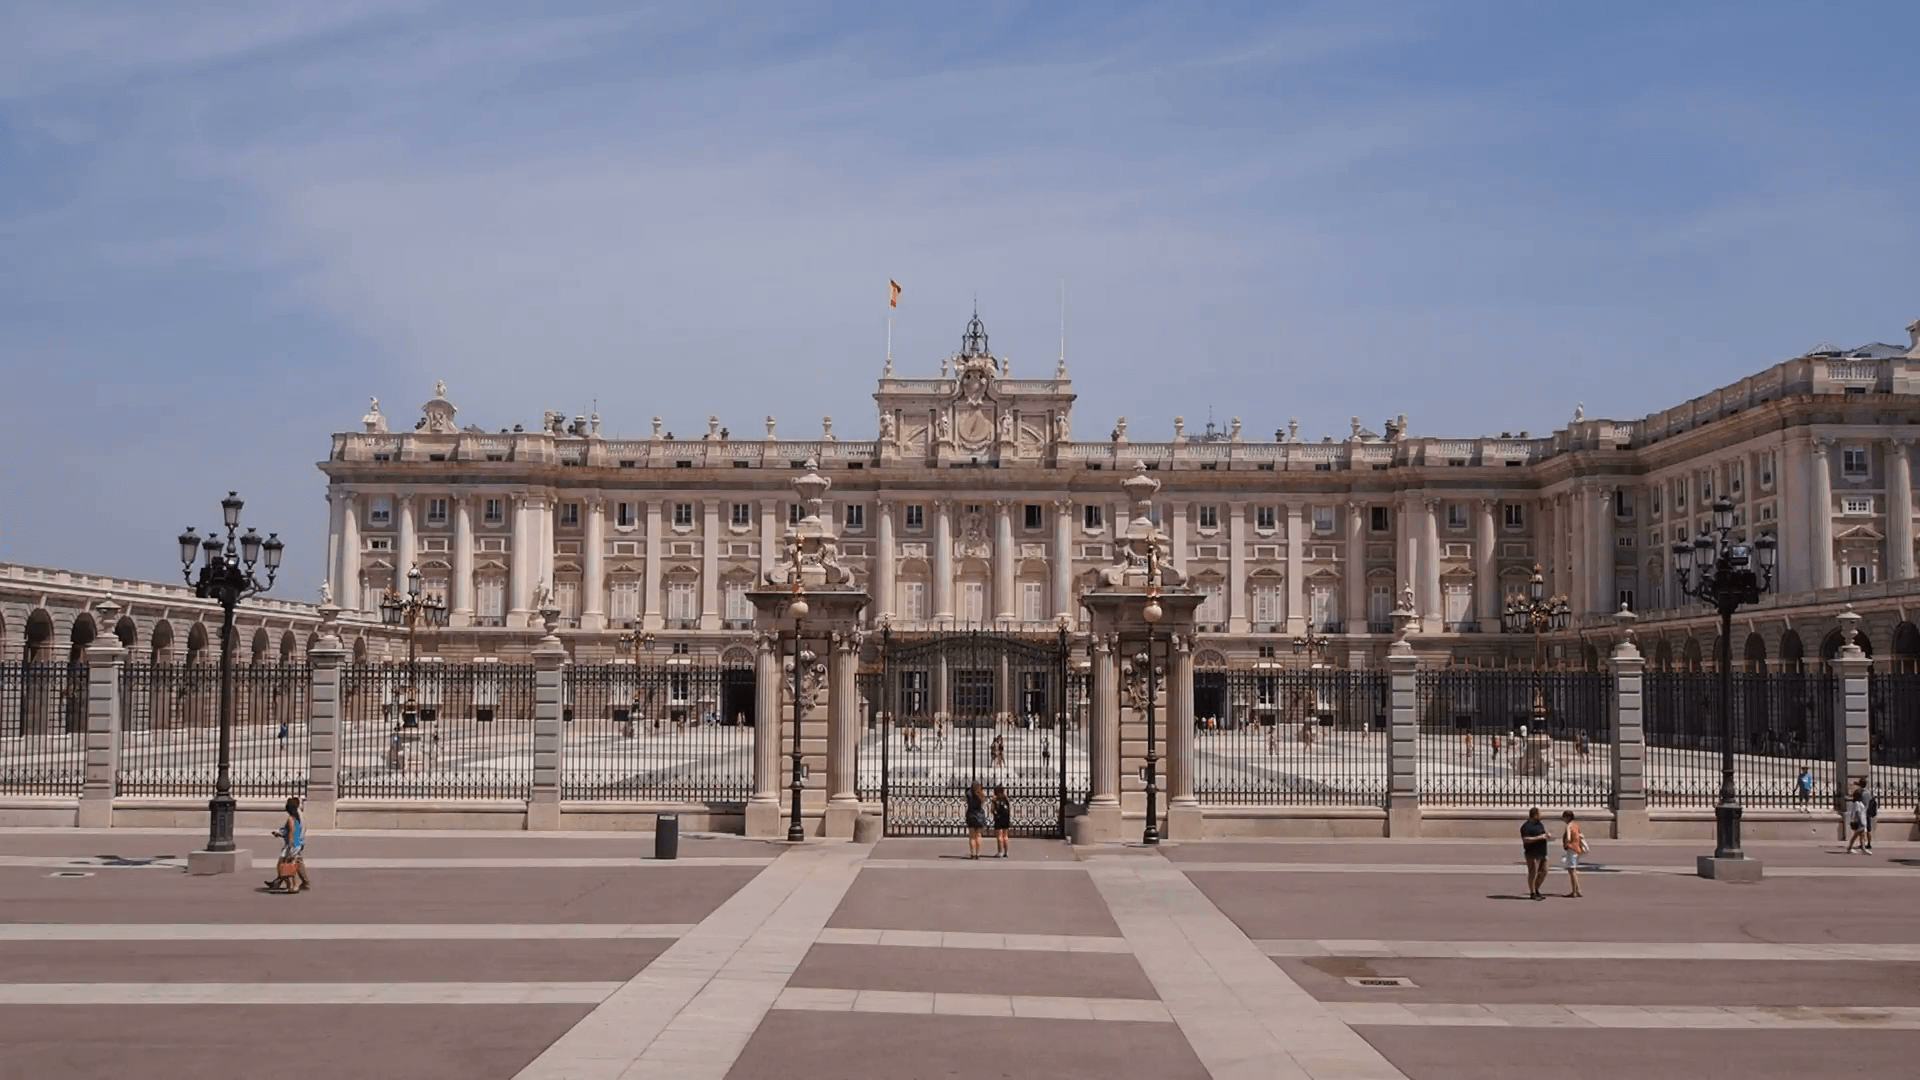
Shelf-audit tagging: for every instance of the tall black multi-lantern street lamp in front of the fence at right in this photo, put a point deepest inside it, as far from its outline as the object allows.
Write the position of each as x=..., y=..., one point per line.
x=1731, y=576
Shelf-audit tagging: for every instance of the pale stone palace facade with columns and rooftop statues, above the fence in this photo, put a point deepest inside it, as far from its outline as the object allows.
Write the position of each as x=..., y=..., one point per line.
x=980, y=504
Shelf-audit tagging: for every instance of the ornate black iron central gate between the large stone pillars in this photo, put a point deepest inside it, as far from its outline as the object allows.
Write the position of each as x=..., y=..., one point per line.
x=976, y=708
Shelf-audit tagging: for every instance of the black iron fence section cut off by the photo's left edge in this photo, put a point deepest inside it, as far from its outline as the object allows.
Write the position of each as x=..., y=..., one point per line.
x=43, y=729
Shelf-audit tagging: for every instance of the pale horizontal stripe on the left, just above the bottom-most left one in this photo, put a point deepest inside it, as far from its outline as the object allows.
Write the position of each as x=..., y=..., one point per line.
x=331, y=931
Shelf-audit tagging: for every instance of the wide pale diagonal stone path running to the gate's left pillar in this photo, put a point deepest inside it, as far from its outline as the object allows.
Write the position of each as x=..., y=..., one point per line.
x=692, y=1012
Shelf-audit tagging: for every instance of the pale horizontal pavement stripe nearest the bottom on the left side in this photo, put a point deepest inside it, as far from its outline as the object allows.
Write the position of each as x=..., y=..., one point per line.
x=306, y=993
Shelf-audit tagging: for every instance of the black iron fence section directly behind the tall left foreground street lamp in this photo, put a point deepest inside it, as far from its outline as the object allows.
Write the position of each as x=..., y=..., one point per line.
x=172, y=729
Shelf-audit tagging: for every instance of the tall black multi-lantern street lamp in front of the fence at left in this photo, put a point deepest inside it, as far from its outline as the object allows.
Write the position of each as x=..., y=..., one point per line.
x=228, y=577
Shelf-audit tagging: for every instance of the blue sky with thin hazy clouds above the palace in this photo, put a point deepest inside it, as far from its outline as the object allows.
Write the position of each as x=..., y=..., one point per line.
x=226, y=226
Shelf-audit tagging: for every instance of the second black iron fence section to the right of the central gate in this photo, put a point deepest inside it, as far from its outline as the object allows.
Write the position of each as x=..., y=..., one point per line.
x=1516, y=737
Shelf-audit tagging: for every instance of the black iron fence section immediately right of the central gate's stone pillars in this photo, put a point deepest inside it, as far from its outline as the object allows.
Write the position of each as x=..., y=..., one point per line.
x=1291, y=737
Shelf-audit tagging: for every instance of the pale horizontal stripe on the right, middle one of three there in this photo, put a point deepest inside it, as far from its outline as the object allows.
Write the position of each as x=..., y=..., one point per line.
x=1593, y=950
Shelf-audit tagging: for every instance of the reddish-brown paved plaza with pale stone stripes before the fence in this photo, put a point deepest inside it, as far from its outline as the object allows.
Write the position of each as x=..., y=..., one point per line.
x=579, y=956
